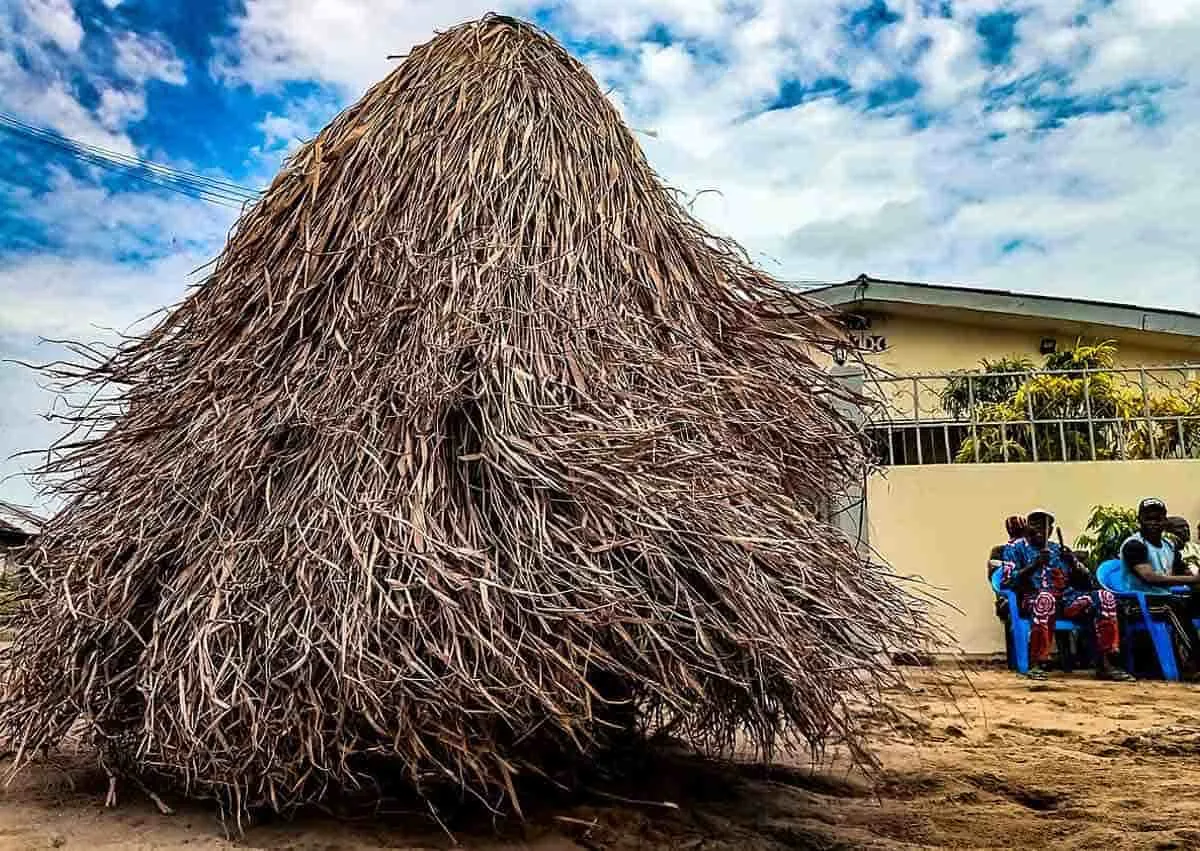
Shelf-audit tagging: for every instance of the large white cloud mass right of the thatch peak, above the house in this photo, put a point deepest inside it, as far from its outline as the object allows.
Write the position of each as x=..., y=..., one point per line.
x=825, y=191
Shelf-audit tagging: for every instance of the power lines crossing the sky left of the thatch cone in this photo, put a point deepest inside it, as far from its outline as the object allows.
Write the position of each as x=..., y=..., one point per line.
x=190, y=184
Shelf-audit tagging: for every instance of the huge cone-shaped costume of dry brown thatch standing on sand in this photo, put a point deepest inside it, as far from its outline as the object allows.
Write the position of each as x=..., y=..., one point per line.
x=471, y=433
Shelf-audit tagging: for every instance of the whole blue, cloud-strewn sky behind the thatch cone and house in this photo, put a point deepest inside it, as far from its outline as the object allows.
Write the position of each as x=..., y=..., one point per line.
x=1046, y=146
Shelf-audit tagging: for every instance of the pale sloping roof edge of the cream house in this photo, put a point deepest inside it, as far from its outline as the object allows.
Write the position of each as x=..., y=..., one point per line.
x=1053, y=308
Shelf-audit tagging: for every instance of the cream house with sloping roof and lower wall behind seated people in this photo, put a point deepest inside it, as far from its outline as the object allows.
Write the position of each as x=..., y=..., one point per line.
x=938, y=519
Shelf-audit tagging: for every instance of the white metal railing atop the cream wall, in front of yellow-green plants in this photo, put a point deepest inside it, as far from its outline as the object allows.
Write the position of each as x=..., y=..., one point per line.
x=1075, y=415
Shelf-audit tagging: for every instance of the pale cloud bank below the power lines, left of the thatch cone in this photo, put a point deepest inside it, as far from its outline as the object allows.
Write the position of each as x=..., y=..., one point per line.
x=86, y=295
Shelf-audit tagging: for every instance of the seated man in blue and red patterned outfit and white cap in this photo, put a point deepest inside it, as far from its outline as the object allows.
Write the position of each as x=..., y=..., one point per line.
x=1052, y=583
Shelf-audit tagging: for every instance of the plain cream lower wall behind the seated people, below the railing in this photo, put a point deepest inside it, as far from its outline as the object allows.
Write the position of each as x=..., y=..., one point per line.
x=941, y=522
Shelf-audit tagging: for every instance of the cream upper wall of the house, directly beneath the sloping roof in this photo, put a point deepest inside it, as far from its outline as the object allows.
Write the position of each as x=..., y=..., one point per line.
x=917, y=345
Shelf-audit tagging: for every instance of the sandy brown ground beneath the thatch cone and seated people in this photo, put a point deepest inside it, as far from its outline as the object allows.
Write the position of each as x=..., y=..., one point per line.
x=1072, y=764
